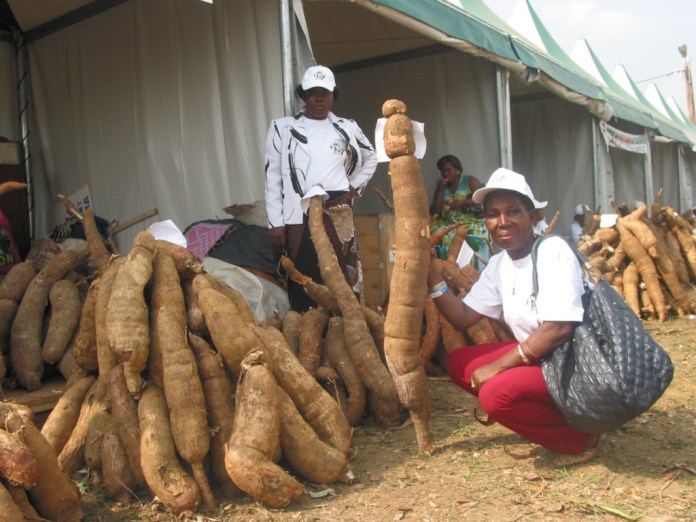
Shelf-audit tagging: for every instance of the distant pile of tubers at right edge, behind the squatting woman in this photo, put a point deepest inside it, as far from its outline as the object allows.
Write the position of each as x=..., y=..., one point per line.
x=648, y=256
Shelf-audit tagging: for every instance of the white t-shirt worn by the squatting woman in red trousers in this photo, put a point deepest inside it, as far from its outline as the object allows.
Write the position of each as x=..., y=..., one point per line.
x=505, y=287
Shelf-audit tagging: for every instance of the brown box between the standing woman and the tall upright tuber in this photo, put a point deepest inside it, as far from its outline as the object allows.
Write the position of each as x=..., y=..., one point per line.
x=375, y=235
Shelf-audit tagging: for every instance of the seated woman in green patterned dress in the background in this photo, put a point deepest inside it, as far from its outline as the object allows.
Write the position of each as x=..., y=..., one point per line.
x=452, y=203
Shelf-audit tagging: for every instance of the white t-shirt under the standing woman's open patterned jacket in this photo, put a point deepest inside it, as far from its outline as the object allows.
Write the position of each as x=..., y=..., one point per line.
x=327, y=151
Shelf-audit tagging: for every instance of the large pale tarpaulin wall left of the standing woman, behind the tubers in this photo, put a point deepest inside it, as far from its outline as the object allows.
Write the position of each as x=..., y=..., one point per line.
x=157, y=103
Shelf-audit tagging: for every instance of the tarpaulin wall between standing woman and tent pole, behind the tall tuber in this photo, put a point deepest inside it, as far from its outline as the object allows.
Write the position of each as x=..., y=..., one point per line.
x=454, y=95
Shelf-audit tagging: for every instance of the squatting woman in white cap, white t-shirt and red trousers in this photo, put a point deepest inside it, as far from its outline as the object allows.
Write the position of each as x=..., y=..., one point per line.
x=507, y=376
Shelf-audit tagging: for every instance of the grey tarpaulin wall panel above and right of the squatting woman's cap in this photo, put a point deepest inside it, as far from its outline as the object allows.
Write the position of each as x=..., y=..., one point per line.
x=552, y=147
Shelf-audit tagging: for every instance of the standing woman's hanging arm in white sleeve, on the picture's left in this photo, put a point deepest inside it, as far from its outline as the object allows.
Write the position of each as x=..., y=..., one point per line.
x=274, y=189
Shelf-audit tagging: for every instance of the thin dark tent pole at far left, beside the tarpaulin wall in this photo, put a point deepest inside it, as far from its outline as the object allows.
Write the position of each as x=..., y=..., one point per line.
x=22, y=76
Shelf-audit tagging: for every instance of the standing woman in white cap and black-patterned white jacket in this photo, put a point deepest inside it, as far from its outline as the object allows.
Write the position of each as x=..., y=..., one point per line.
x=316, y=148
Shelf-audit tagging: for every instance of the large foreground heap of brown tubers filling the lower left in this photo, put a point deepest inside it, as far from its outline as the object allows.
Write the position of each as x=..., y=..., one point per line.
x=172, y=388
